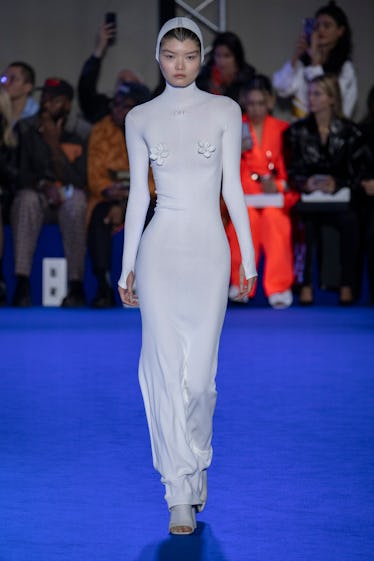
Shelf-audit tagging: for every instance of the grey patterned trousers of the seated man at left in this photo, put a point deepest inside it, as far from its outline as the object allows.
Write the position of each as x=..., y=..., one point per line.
x=30, y=210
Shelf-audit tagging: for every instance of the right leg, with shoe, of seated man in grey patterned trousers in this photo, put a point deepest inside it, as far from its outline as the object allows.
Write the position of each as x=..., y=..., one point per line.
x=71, y=219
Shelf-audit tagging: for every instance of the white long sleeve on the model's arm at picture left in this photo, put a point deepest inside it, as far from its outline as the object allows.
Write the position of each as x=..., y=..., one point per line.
x=138, y=198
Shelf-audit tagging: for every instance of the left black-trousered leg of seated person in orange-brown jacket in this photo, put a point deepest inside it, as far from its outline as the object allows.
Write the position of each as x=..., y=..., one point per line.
x=99, y=244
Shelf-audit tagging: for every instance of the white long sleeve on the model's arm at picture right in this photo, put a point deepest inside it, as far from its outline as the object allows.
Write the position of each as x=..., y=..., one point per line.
x=232, y=191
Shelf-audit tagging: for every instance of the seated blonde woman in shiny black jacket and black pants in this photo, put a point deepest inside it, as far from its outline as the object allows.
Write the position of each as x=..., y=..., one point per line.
x=326, y=152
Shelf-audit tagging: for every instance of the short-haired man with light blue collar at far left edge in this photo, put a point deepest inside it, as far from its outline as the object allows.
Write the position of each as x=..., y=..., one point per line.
x=19, y=81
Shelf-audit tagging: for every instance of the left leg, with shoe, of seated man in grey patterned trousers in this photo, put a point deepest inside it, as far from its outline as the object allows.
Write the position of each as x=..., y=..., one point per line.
x=27, y=216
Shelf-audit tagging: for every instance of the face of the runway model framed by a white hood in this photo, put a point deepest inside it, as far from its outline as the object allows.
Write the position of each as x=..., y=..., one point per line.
x=179, y=61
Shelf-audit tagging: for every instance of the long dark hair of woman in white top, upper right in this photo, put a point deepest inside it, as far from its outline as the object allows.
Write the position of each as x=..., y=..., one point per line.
x=343, y=48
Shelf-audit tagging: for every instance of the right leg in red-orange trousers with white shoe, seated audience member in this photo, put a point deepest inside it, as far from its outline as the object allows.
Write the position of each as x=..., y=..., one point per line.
x=275, y=234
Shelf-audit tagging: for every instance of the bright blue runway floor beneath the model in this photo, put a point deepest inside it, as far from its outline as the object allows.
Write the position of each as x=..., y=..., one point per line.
x=292, y=473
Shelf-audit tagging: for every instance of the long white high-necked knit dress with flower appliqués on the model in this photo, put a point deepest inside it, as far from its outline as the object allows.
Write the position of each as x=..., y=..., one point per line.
x=182, y=270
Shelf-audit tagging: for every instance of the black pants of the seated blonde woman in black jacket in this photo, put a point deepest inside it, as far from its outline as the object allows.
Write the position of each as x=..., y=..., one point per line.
x=346, y=223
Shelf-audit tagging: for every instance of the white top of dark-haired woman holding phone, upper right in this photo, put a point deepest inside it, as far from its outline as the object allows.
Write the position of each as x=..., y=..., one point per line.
x=293, y=81
